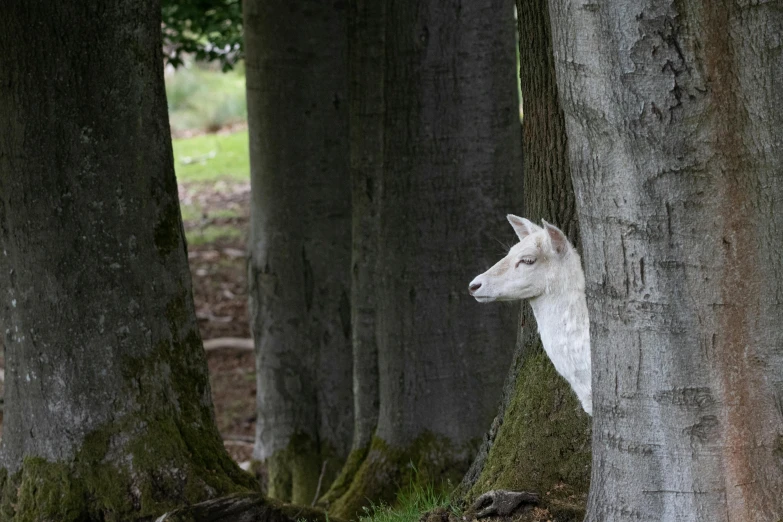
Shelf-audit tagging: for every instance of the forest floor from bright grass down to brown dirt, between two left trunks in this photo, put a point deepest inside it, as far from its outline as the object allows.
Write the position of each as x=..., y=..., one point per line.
x=215, y=211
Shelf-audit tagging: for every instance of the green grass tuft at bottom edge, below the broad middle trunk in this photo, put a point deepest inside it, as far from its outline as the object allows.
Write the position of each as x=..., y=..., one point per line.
x=412, y=502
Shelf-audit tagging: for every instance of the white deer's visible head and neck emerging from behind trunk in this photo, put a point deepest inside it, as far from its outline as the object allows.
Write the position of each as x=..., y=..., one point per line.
x=555, y=286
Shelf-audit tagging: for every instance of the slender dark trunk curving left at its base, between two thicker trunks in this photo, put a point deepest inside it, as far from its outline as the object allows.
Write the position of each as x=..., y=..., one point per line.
x=366, y=57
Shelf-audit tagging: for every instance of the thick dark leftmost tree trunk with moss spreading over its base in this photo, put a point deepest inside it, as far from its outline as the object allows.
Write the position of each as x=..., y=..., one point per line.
x=108, y=413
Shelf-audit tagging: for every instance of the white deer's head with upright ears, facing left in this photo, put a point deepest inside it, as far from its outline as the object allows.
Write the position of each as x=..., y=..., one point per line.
x=543, y=262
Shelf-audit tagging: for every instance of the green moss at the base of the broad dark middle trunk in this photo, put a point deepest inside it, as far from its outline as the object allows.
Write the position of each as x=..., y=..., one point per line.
x=430, y=459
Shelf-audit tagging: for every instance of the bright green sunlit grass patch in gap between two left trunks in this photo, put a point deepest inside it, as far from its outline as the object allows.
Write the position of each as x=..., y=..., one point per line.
x=211, y=157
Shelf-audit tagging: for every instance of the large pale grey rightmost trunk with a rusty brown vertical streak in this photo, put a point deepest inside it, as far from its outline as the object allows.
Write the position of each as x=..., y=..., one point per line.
x=675, y=121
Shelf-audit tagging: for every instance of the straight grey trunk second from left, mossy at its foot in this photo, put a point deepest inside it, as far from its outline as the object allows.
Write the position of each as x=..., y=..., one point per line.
x=300, y=244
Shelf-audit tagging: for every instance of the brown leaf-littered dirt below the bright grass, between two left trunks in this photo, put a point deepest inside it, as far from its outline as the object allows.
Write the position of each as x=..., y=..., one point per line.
x=218, y=267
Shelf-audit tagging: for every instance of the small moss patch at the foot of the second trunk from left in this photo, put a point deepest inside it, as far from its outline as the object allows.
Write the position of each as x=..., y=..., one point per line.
x=294, y=472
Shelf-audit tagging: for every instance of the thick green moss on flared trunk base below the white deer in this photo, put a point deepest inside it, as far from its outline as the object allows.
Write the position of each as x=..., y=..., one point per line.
x=544, y=442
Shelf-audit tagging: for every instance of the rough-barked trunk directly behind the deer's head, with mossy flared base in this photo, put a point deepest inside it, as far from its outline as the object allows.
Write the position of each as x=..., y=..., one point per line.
x=540, y=441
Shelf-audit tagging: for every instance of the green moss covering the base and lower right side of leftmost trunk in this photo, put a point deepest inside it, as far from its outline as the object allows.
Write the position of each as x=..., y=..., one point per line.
x=166, y=453
